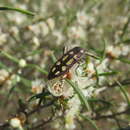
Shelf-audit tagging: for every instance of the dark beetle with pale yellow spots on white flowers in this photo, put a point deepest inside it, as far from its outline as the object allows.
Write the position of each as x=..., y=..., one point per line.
x=65, y=63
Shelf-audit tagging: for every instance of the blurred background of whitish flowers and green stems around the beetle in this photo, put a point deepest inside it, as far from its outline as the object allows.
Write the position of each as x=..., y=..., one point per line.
x=29, y=46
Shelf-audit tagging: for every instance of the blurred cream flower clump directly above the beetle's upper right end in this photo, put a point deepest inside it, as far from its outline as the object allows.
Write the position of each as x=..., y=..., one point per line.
x=76, y=32
